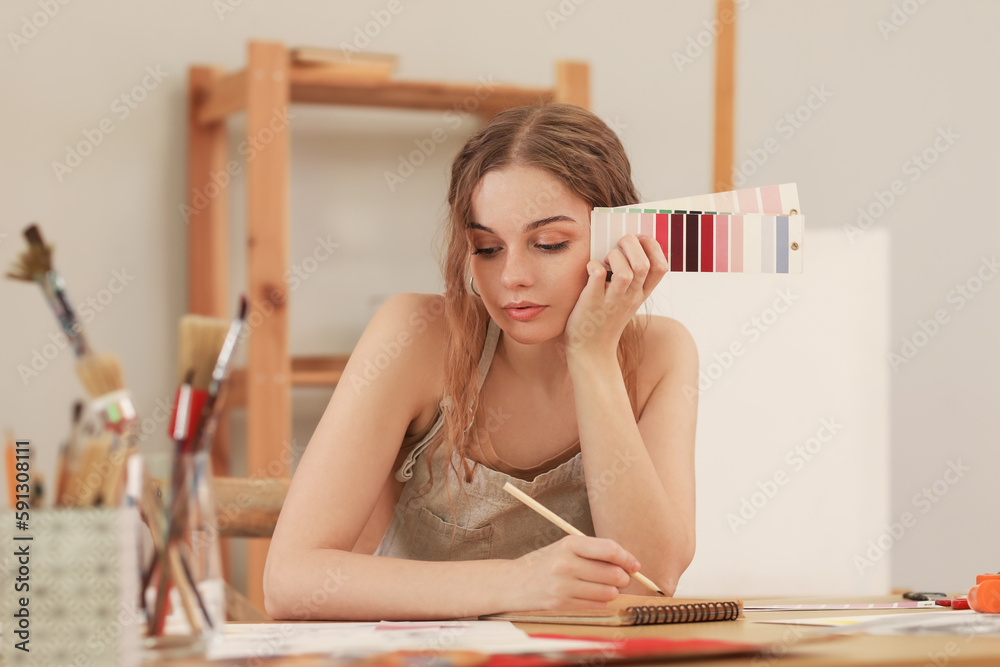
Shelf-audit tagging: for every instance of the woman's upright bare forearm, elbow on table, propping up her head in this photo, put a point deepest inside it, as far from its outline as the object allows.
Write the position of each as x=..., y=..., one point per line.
x=627, y=499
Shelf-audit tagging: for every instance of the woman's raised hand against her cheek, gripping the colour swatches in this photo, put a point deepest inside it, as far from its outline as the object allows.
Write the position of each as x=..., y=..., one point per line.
x=604, y=308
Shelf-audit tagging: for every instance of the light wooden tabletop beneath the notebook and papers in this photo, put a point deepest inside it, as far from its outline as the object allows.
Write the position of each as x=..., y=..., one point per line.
x=788, y=644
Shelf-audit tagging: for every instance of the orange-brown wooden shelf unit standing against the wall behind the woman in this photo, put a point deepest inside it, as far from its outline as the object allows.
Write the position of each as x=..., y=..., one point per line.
x=264, y=89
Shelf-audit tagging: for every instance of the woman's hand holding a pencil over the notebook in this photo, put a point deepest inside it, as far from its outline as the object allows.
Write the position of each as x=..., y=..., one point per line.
x=573, y=573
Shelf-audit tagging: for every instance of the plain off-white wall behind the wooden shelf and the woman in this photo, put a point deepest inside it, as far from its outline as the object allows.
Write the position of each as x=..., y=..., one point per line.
x=890, y=95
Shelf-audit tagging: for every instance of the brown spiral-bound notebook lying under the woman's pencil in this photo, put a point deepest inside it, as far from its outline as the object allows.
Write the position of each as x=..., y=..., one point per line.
x=634, y=610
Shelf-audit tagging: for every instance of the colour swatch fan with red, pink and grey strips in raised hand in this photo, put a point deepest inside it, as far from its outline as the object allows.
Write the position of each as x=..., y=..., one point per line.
x=755, y=230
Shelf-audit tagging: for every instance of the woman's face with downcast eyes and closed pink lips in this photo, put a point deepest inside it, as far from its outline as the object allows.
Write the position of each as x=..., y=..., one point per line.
x=530, y=242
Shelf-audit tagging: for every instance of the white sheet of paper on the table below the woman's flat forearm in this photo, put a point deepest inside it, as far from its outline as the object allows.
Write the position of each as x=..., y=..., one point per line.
x=359, y=640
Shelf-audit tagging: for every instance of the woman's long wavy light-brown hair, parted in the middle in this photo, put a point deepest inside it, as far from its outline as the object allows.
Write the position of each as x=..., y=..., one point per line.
x=586, y=156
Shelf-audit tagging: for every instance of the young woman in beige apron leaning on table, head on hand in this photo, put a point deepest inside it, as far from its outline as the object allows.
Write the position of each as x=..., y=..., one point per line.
x=530, y=368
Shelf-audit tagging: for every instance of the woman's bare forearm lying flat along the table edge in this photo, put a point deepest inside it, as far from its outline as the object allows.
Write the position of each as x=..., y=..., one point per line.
x=330, y=584
